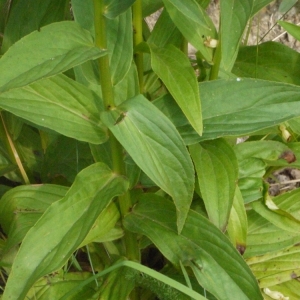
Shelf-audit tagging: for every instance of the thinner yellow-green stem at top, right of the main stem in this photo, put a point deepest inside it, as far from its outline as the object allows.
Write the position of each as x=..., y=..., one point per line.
x=137, y=21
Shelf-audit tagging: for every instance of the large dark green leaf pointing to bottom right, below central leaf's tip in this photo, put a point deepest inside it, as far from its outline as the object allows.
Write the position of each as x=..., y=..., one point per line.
x=215, y=262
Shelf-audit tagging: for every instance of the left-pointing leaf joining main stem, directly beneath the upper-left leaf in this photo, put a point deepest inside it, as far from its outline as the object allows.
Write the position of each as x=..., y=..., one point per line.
x=58, y=103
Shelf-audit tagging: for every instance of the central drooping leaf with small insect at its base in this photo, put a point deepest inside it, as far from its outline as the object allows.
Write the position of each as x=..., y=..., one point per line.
x=154, y=144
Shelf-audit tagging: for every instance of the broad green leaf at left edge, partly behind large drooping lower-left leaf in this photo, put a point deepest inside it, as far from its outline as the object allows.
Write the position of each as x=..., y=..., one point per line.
x=22, y=206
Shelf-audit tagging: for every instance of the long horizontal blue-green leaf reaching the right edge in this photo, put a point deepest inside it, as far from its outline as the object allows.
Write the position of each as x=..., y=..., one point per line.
x=236, y=107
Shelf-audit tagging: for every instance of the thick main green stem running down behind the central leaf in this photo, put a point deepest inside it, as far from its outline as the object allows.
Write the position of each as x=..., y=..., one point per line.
x=108, y=98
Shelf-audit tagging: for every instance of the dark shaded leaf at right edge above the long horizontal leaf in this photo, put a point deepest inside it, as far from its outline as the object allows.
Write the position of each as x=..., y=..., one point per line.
x=258, y=62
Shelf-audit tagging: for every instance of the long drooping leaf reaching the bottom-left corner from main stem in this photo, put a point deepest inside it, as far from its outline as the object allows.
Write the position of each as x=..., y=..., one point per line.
x=64, y=225
